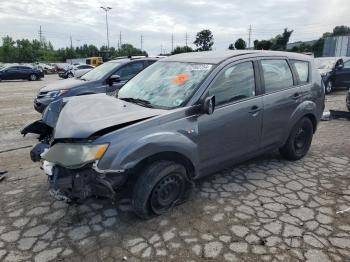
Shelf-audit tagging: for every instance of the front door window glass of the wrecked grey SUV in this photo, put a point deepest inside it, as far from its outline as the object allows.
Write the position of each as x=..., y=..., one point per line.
x=234, y=83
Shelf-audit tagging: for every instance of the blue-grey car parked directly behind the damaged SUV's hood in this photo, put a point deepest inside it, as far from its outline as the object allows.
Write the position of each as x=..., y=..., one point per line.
x=106, y=78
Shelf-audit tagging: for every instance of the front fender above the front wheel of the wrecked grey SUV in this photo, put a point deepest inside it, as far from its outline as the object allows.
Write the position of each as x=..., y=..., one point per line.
x=129, y=156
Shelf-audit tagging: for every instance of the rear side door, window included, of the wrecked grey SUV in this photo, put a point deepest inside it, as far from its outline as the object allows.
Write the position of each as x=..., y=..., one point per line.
x=281, y=98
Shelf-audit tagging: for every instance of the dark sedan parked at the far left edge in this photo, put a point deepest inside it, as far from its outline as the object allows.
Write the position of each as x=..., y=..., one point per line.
x=20, y=72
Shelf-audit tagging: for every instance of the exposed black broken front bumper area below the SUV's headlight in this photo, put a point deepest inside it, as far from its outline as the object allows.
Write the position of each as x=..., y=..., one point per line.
x=76, y=185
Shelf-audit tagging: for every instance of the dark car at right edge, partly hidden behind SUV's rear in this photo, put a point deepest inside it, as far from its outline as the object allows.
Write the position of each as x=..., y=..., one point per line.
x=335, y=72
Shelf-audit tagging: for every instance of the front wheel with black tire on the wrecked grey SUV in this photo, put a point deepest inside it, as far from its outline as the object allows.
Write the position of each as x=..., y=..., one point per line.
x=159, y=188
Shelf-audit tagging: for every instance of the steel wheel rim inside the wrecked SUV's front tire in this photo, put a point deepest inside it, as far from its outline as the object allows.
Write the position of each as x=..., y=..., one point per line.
x=166, y=192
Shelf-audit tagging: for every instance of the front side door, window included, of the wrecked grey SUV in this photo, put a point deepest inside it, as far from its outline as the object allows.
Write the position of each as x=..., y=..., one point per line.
x=233, y=130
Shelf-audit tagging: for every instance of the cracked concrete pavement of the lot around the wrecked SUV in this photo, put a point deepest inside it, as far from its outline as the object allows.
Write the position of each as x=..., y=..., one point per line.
x=266, y=209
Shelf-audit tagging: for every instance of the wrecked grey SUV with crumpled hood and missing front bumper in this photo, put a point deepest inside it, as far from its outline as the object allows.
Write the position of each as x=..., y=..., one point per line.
x=183, y=118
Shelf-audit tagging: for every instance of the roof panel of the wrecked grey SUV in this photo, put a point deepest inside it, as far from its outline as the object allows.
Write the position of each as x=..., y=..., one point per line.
x=217, y=57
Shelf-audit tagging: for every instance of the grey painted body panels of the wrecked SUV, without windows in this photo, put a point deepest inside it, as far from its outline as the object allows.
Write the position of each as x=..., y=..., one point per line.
x=231, y=134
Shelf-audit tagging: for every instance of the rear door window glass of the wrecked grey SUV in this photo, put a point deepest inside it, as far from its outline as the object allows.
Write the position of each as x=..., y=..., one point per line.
x=277, y=75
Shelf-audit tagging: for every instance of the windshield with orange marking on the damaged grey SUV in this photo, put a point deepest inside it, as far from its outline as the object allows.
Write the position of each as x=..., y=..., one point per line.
x=165, y=84
